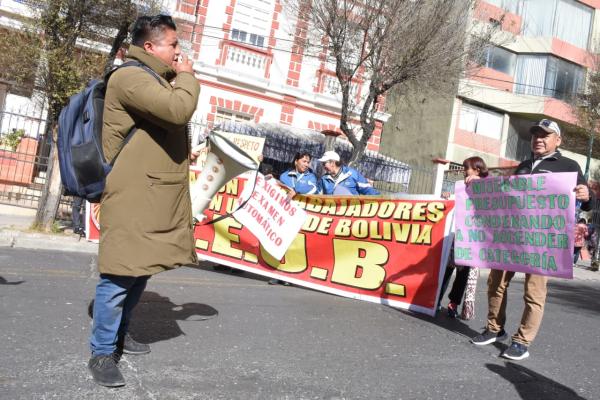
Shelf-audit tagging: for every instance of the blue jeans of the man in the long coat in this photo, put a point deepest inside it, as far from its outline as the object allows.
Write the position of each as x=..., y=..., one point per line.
x=116, y=296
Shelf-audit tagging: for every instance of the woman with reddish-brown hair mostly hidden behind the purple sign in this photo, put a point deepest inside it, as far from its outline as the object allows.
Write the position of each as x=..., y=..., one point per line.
x=466, y=277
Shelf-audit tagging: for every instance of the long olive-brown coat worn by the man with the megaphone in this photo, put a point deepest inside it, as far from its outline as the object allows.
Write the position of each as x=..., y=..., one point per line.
x=145, y=212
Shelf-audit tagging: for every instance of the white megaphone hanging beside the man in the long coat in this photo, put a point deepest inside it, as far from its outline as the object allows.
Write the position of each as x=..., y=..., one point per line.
x=224, y=161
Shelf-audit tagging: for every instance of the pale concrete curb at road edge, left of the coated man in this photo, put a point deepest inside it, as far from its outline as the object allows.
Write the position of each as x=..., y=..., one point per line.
x=41, y=241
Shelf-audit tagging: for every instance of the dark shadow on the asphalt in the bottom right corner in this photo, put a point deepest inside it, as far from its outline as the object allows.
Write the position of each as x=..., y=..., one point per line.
x=531, y=385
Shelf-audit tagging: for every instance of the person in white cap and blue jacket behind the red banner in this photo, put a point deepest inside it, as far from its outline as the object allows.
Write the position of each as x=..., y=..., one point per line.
x=340, y=179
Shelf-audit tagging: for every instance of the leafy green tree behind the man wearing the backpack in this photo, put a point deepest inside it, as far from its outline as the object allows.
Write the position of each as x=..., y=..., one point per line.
x=66, y=42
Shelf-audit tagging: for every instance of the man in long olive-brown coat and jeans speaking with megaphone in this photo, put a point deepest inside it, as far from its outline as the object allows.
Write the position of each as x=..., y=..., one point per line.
x=146, y=206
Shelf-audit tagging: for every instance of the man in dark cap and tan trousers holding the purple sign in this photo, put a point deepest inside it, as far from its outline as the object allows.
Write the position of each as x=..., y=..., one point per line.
x=545, y=139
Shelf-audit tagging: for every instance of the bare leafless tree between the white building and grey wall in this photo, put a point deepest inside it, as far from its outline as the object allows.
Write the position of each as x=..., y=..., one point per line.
x=389, y=44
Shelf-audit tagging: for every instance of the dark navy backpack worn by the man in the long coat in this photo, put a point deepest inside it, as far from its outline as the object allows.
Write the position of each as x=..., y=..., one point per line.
x=83, y=168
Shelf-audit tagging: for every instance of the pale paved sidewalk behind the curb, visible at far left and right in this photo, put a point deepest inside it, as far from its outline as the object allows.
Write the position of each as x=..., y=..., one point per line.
x=15, y=231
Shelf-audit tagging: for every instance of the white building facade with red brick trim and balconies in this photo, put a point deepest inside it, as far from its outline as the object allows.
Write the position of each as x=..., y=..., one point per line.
x=254, y=64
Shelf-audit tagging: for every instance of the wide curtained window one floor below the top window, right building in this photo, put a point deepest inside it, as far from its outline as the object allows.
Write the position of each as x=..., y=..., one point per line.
x=547, y=76
